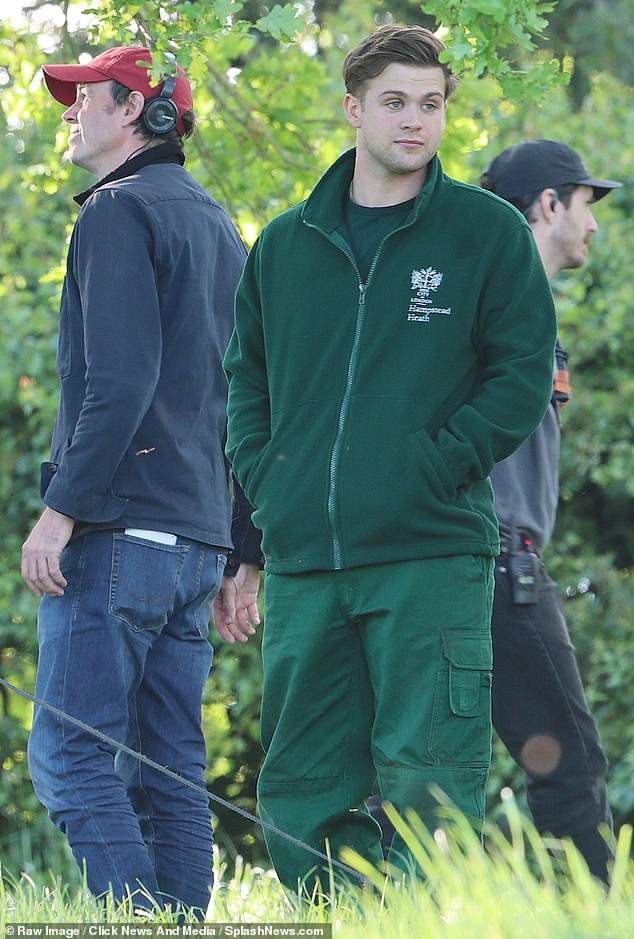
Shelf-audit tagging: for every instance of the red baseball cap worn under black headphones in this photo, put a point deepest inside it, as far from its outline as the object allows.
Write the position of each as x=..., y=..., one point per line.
x=118, y=64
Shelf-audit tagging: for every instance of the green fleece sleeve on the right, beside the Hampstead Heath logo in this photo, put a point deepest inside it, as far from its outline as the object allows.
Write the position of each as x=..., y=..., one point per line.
x=515, y=340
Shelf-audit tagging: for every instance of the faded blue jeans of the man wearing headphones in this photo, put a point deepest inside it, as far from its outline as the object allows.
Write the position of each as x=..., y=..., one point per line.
x=126, y=650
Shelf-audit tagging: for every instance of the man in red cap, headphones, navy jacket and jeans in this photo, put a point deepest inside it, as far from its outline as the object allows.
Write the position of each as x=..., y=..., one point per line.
x=136, y=530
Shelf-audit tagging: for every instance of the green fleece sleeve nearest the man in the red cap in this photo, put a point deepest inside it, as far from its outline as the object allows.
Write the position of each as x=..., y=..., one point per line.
x=249, y=412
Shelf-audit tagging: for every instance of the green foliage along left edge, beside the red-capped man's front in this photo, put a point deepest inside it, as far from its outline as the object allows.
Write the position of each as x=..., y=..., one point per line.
x=33, y=230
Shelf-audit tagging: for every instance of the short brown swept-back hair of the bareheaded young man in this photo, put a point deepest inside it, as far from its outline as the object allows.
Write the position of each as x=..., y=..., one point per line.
x=411, y=45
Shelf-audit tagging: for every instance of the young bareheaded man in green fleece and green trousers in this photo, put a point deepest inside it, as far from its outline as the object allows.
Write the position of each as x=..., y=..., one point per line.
x=394, y=339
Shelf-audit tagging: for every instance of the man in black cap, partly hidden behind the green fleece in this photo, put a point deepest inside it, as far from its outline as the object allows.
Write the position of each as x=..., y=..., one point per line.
x=539, y=706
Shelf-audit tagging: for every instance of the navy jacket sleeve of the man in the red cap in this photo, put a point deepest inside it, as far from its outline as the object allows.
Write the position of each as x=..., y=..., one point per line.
x=112, y=264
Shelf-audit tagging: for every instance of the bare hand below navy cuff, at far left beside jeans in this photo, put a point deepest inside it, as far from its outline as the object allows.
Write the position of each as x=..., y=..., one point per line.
x=42, y=550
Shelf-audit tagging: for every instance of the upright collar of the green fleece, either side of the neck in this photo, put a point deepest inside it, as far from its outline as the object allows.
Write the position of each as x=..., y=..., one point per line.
x=324, y=206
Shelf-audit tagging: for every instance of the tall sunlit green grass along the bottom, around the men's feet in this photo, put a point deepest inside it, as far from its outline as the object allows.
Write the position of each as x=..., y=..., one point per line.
x=518, y=887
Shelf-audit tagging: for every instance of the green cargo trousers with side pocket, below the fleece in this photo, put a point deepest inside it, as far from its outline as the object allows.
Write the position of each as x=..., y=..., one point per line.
x=373, y=676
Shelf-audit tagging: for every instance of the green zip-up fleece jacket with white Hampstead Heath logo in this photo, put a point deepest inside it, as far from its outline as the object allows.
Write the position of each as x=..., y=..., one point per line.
x=365, y=418
